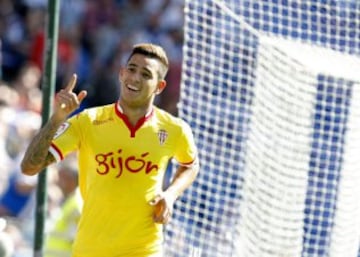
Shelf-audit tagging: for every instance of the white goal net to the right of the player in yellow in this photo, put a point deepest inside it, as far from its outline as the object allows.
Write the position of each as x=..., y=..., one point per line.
x=272, y=92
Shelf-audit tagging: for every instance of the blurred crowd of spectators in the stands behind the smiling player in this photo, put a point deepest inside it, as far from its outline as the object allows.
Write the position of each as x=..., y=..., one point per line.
x=95, y=37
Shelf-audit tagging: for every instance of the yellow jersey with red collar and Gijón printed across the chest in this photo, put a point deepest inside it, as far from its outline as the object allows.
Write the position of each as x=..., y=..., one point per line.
x=121, y=168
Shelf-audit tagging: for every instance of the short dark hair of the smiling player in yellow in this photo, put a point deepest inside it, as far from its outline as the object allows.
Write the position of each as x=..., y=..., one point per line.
x=152, y=51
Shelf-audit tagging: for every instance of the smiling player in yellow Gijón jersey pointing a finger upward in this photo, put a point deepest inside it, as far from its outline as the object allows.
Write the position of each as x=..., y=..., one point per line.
x=123, y=150
